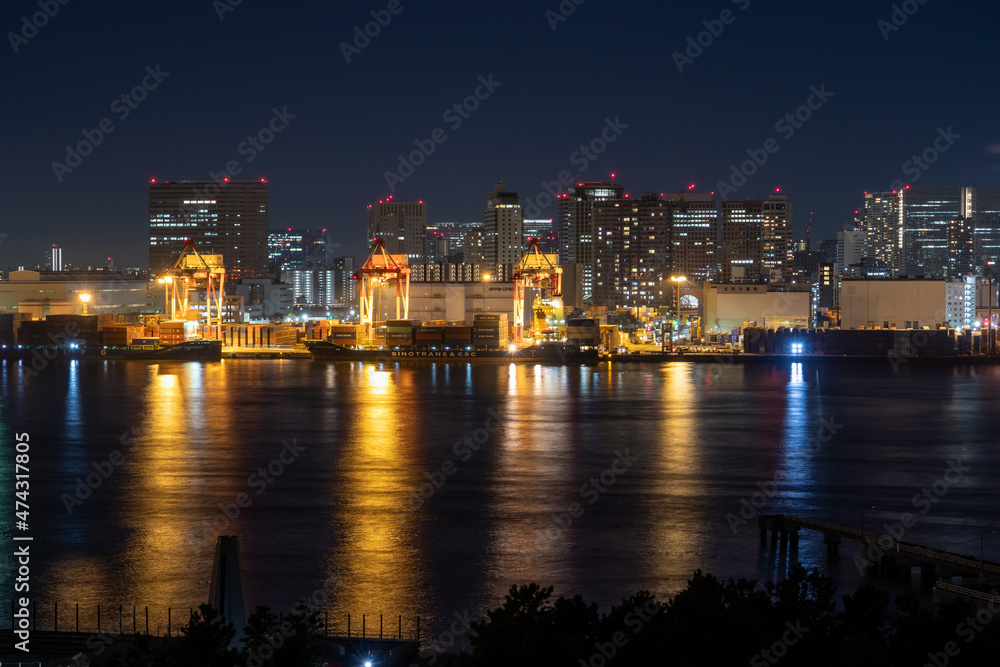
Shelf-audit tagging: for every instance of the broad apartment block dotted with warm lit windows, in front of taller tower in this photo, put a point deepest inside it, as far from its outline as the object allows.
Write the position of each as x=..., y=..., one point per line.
x=632, y=251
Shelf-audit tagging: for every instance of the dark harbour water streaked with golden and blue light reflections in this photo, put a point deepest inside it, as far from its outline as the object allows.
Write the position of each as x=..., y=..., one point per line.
x=375, y=436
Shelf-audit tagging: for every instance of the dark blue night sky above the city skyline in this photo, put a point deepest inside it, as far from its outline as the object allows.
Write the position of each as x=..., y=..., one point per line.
x=557, y=87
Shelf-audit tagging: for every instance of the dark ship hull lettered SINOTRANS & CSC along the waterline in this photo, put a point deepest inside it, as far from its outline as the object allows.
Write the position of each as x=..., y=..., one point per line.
x=553, y=353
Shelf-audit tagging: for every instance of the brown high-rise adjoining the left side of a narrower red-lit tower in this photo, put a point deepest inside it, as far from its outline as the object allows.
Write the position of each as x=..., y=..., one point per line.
x=742, y=228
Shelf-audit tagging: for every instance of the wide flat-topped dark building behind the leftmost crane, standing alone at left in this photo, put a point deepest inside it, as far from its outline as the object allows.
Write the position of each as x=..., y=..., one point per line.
x=228, y=218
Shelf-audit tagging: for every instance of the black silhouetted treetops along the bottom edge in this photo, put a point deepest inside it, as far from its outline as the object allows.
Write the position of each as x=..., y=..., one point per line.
x=711, y=622
